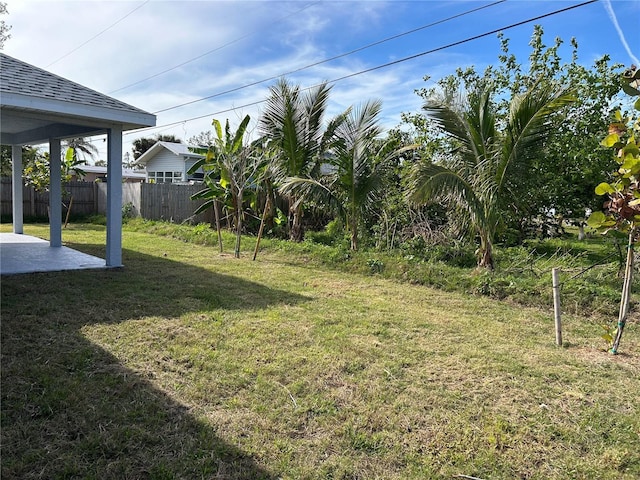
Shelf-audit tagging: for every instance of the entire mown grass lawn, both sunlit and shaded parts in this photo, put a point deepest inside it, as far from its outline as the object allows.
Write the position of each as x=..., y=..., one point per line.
x=191, y=364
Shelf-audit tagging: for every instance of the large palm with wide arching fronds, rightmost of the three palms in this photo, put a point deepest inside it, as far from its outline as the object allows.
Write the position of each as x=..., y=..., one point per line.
x=477, y=173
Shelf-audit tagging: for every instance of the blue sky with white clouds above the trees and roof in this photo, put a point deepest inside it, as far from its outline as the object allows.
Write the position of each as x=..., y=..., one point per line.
x=116, y=46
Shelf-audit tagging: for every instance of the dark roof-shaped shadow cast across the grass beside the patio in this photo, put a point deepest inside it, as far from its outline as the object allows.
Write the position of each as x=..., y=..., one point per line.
x=71, y=410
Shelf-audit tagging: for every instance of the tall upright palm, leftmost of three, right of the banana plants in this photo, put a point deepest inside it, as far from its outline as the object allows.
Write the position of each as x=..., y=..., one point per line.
x=293, y=123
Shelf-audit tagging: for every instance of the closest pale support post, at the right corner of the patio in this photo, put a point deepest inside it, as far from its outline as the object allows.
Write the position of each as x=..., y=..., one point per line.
x=114, y=197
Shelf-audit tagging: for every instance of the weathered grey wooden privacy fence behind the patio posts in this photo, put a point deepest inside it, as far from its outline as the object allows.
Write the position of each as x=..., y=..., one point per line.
x=166, y=201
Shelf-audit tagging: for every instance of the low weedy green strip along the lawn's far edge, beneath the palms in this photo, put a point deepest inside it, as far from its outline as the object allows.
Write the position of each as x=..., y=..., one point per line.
x=591, y=269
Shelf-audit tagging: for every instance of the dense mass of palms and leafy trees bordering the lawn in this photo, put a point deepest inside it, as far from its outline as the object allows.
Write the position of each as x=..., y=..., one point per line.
x=493, y=156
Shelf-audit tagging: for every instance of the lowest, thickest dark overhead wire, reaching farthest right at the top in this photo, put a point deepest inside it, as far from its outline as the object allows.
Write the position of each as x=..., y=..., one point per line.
x=395, y=62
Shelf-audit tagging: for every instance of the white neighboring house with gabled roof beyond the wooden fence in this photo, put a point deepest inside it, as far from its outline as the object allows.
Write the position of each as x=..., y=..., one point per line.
x=168, y=162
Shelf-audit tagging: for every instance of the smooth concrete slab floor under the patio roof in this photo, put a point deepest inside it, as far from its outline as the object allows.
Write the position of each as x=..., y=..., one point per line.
x=27, y=254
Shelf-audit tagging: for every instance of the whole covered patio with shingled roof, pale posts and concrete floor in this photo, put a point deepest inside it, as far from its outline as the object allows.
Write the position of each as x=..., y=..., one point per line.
x=38, y=107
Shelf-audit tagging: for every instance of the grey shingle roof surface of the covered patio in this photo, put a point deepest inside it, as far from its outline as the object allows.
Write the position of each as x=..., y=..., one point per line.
x=21, y=78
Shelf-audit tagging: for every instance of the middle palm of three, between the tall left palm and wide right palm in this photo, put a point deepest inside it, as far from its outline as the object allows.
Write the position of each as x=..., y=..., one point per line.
x=353, y=183
